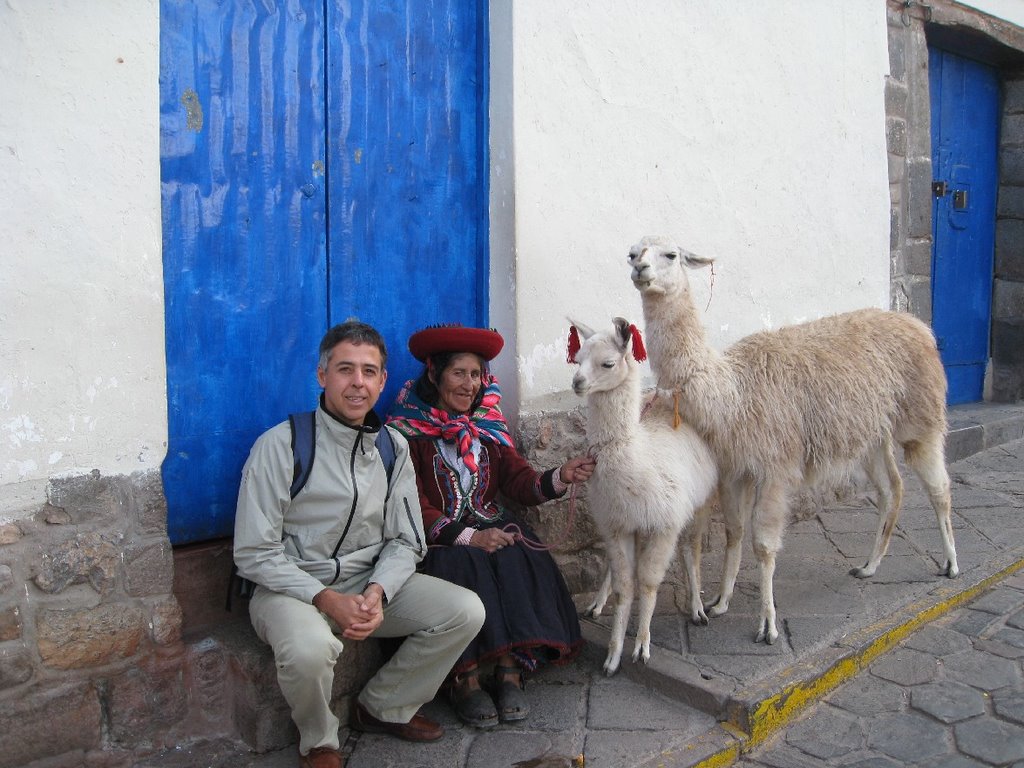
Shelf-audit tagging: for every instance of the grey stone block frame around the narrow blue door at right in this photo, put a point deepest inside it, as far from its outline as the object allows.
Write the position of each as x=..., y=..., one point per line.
x=909, y=143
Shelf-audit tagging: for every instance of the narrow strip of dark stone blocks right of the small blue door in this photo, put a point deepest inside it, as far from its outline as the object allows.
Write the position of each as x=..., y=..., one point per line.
x=1008, y=295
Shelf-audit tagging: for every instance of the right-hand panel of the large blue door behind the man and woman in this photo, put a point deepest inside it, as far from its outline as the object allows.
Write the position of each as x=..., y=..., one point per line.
x=408, y=203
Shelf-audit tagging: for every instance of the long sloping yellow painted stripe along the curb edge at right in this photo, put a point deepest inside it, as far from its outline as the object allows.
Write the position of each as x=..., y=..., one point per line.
x=765, y=718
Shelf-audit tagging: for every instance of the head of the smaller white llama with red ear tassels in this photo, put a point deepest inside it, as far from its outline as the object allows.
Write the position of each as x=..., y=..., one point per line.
x=606, y=359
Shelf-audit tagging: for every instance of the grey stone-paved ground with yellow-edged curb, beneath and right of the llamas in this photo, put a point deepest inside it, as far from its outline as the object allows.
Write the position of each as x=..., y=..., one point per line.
x=711, y=697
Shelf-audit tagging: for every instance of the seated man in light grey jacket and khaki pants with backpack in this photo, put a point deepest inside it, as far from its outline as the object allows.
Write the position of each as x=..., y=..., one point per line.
x=340, y=558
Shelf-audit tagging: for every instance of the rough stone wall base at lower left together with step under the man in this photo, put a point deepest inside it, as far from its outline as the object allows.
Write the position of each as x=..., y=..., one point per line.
x=113, y=647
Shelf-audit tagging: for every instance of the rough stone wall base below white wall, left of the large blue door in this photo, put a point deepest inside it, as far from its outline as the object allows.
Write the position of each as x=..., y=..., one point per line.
x=92, y=657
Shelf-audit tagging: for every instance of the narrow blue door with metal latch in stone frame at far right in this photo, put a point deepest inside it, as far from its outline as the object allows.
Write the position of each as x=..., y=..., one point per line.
x=965, y=111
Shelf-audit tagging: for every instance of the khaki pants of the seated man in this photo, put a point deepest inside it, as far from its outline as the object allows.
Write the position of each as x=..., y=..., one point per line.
x=439, y=618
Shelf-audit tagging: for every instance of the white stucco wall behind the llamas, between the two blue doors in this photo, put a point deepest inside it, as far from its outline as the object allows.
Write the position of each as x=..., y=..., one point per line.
x=753, y=134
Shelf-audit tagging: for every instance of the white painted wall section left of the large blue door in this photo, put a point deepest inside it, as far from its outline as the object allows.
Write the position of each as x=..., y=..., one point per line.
x=82, y=372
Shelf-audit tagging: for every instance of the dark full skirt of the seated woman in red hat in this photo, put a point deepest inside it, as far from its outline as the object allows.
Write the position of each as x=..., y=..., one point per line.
x=530, y=613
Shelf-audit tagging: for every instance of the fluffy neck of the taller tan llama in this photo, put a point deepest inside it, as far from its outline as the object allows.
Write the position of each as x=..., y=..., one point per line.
x=682, y=361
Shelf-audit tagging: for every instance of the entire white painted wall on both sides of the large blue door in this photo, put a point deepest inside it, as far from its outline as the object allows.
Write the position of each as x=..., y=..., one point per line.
x=752, y=133
